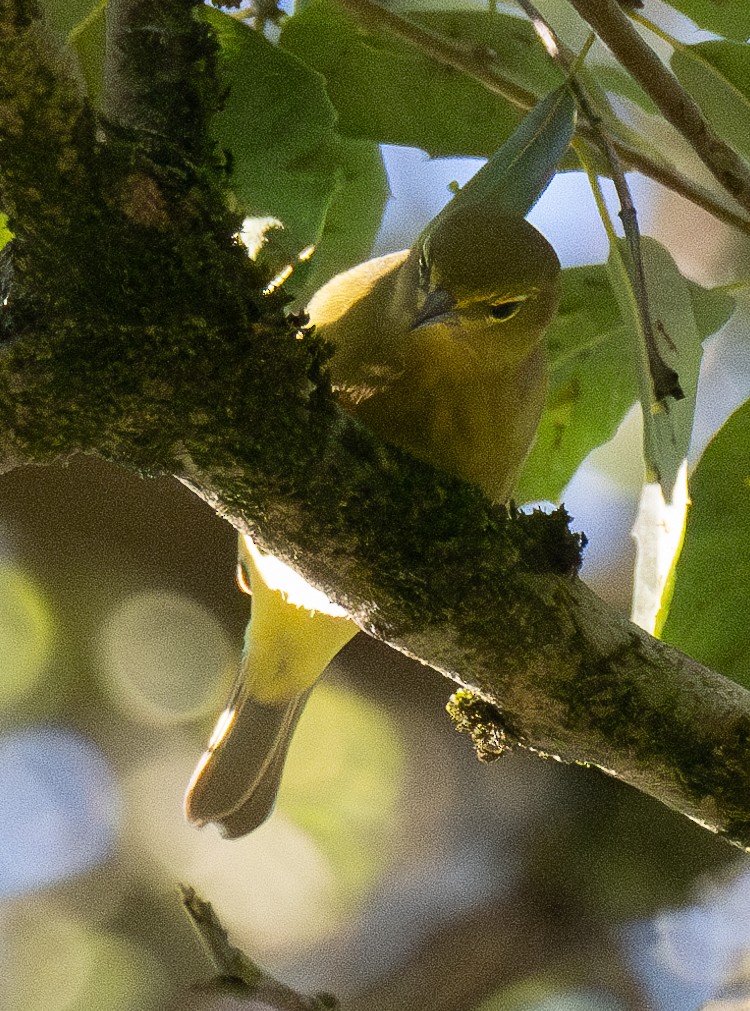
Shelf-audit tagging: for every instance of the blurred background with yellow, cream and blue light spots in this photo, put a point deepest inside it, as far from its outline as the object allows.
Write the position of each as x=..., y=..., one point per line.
x=397, y=871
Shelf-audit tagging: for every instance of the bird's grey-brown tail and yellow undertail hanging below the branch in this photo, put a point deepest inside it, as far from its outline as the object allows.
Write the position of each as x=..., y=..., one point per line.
x=294, y=634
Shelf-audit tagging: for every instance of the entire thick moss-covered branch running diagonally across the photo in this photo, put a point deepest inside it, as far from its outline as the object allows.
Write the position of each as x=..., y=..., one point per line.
x=133, y=327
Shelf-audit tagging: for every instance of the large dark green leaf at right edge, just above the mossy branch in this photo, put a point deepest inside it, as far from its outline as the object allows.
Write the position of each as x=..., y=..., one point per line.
x=710, y=612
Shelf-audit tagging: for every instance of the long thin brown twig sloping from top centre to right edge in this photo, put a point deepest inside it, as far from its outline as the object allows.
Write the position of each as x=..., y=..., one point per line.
x=478, y=67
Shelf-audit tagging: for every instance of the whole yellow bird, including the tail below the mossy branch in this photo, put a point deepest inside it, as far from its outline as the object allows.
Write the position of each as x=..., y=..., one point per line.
x=440, y=350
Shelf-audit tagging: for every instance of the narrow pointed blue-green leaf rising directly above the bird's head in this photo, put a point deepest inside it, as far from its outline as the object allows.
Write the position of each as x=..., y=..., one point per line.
x=519, y=172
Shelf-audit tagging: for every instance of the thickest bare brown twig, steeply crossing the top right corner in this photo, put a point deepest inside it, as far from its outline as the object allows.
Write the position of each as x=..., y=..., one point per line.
x=616, y=31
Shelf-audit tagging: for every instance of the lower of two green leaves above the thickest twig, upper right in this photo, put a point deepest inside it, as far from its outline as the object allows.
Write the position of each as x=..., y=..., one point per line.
x=718, y=76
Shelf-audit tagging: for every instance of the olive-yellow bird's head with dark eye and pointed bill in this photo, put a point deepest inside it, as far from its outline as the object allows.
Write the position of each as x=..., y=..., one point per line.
x=491, y=282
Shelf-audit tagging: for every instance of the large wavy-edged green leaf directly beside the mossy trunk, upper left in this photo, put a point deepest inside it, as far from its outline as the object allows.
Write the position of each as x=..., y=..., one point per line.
x=279, y=126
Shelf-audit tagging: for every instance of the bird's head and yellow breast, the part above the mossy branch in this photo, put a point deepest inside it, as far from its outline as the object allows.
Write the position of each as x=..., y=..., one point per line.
x=439, y=349
